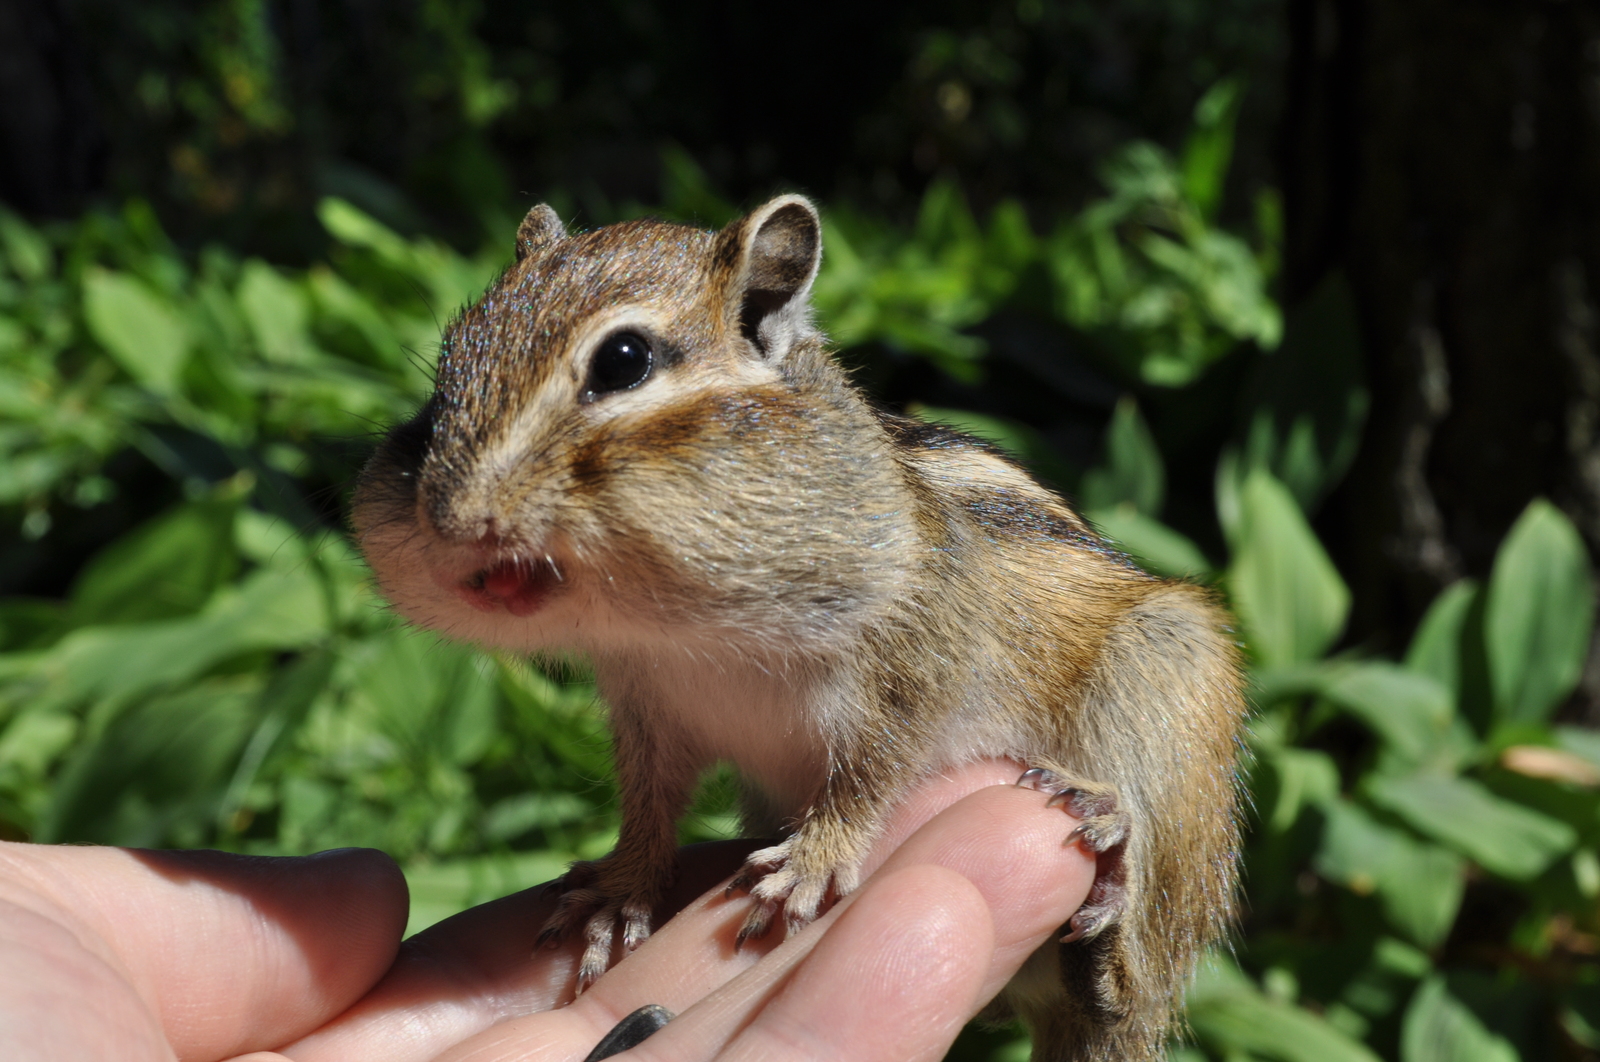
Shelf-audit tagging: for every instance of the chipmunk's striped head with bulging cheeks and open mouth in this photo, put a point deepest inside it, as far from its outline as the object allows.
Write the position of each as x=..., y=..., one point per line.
x=634, y=428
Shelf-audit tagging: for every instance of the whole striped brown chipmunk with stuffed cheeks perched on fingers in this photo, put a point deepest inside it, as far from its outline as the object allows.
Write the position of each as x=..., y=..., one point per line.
x=641, y=449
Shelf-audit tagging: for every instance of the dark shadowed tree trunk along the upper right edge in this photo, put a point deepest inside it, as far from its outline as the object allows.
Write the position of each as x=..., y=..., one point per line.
x=1447, y=158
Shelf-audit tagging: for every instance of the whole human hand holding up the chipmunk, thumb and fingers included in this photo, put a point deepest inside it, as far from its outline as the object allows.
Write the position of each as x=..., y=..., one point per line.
x=116, y=956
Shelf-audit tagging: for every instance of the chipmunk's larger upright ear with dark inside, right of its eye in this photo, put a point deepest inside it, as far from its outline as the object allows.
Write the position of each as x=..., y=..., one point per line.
x=774, y=254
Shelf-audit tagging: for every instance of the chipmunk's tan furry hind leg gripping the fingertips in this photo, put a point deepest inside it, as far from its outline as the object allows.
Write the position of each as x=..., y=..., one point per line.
x=1161, y=722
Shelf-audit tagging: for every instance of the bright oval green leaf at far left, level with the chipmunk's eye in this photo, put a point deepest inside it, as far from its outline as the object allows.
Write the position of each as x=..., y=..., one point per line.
x=142, y=332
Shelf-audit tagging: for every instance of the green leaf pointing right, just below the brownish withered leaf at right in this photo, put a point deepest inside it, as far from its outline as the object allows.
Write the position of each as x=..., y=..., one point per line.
x=1500, y=836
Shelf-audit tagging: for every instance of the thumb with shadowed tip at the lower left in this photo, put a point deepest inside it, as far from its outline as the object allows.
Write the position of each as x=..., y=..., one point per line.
x=143, y=956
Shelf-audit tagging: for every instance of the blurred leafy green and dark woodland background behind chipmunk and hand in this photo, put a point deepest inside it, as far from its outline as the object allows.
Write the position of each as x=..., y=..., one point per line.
x=1297, y=298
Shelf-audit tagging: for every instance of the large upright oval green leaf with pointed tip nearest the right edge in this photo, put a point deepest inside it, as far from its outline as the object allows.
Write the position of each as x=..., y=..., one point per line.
x=1538, y=615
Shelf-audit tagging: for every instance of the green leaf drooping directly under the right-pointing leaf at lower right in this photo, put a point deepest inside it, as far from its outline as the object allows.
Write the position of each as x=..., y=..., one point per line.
x=1418, y=885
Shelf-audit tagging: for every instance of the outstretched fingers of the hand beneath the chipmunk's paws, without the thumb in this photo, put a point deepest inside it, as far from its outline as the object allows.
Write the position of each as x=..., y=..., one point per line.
x=975, y=876
